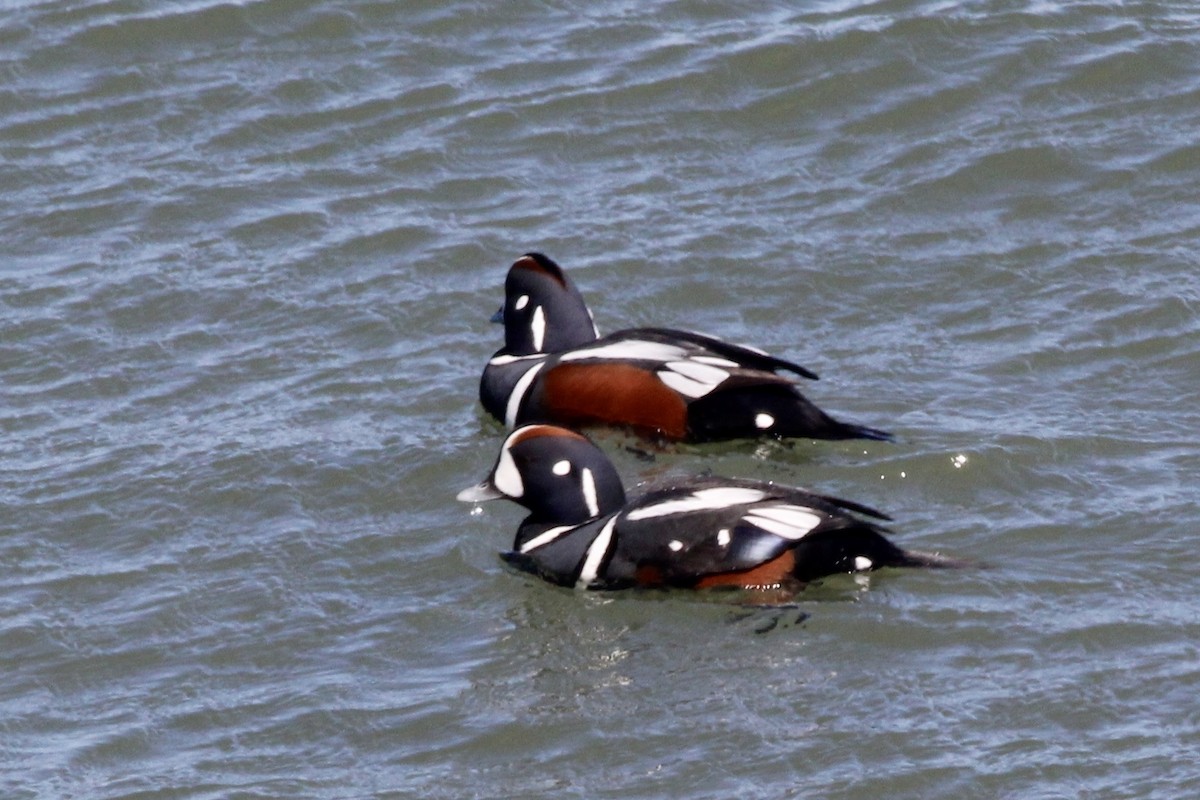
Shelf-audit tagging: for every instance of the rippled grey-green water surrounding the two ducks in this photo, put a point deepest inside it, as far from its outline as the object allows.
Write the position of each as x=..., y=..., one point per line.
x=251, y=250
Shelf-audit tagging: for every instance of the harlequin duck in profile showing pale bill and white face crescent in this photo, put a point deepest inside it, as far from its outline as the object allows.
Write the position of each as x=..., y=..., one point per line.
x=697, y=533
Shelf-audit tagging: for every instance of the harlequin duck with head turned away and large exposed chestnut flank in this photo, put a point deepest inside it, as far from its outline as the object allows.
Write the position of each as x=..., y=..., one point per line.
x=679, y=386
